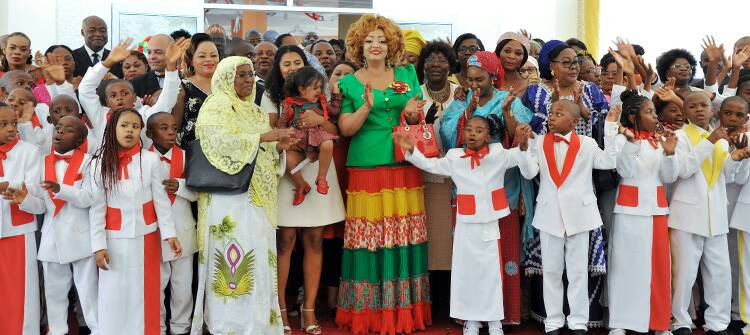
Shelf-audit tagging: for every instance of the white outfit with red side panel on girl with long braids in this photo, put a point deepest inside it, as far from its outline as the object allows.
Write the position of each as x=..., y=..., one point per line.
x=125, y=224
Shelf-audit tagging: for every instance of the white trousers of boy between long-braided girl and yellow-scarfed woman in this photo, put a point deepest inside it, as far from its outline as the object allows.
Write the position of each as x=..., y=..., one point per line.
x=179, y=275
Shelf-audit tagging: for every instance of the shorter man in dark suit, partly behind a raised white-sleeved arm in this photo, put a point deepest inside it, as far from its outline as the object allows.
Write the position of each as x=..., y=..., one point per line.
x=157, y=61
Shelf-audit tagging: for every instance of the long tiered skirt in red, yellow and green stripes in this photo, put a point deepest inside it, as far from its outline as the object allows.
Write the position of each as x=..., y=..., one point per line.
x=384, y=279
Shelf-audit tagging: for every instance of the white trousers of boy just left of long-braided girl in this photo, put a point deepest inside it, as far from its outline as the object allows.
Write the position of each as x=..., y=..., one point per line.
x=58, y=279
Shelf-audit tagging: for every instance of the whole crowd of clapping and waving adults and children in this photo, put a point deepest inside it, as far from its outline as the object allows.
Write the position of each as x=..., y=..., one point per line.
x=192, y=184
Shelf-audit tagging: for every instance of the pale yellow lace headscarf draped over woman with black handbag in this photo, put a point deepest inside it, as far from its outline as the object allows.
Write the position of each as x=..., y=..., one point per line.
x=229, y=129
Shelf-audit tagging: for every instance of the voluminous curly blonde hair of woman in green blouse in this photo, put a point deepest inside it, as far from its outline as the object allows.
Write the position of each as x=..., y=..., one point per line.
x=355, y=38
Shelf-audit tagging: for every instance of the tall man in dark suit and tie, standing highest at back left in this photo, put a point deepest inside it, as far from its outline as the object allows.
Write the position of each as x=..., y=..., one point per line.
x=95, y=37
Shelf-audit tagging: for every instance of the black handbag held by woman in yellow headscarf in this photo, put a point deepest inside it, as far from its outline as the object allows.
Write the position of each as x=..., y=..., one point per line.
x=201, y=176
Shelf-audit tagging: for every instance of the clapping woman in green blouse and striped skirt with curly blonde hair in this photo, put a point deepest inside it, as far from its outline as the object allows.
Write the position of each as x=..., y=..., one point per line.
x=384, y=280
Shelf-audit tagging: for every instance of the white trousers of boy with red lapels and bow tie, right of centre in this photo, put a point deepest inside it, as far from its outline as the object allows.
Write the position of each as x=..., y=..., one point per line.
x=569, y=254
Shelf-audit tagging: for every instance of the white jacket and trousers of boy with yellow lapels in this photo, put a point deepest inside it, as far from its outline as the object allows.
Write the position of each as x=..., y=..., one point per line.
x=698, y=234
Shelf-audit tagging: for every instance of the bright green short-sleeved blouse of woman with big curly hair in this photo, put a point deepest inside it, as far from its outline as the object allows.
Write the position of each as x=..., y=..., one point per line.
x=372, y=145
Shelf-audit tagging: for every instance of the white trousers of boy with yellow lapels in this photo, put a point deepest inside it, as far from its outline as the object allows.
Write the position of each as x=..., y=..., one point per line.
x=711, y=254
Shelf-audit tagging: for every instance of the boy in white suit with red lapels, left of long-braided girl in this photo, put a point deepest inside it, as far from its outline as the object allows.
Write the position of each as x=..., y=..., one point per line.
x=65, y=247
